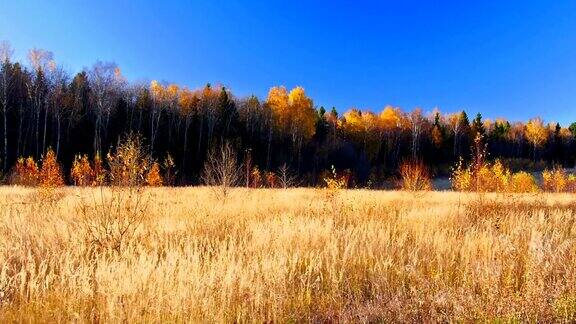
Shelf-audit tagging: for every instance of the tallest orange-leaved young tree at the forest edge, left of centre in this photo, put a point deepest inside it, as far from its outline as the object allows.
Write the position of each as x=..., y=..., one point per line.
x=130, y=163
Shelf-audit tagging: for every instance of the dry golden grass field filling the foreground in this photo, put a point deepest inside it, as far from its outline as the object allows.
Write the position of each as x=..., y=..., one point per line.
x=285, y=255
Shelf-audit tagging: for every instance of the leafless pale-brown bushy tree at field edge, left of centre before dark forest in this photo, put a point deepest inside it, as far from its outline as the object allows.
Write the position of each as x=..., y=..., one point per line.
x=222, y=170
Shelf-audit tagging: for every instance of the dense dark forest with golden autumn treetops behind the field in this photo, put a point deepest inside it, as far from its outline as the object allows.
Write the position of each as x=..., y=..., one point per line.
x=43, y=106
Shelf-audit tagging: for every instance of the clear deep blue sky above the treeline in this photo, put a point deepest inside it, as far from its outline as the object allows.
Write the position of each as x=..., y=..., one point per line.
x=511, y=60
